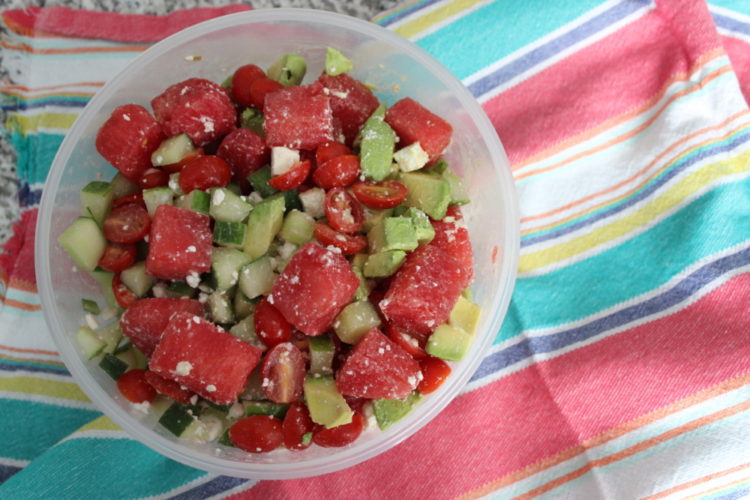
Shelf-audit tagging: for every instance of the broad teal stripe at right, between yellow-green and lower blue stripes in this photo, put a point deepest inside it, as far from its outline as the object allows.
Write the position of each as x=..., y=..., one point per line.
x=716, y=219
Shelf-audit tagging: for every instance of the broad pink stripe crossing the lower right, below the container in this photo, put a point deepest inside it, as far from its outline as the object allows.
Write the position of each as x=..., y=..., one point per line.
x=547, y=408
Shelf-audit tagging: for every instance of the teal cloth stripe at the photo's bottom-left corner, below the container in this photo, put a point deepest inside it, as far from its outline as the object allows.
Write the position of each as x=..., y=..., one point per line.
x=98, y=468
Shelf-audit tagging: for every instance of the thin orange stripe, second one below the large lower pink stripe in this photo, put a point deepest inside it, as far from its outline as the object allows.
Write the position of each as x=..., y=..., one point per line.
x=637, y=448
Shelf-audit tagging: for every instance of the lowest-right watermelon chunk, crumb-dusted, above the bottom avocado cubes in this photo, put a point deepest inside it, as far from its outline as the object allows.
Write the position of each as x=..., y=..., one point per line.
x=378, y=368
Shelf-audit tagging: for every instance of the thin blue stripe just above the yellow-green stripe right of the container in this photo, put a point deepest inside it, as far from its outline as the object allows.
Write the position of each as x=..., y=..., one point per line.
x=679, y=167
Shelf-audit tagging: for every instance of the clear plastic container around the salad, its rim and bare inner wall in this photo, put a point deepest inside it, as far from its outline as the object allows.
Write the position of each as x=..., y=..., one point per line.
x=380, y=57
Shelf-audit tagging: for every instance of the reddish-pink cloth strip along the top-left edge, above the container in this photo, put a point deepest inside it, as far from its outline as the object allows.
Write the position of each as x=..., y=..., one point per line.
x=111, y=25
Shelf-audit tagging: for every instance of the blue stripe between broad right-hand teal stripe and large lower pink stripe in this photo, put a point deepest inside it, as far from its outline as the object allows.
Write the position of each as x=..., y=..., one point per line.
x=675, y=295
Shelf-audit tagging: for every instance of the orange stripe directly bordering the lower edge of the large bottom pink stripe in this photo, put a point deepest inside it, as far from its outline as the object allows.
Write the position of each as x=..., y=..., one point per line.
x=633, y=425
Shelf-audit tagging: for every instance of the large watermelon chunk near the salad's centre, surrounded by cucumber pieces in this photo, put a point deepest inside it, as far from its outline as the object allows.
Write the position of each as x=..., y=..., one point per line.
x=313, y=288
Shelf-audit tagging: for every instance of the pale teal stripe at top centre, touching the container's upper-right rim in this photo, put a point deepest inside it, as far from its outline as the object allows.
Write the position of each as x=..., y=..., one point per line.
x=491, y=32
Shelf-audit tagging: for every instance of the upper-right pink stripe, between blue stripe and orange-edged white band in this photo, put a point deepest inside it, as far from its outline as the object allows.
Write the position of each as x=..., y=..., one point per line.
x=601, y=81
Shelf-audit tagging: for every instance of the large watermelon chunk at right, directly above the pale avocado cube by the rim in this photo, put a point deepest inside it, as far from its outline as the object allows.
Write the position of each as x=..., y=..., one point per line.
x=423, y=291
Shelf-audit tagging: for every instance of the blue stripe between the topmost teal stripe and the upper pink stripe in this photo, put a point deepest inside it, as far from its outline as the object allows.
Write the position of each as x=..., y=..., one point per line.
x=555, y=46
